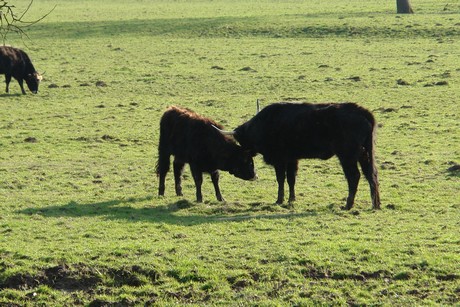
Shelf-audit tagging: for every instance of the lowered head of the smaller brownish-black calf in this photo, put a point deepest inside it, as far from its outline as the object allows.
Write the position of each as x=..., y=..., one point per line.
x=241, y=164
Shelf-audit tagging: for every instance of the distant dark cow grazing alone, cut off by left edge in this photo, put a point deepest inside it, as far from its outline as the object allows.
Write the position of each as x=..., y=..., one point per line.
x=16, y=63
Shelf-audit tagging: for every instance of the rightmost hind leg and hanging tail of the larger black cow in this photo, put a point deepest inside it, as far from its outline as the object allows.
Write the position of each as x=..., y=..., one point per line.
x=368, y=163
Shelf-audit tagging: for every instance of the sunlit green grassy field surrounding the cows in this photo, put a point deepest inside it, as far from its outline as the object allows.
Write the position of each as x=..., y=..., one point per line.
x=80, y=219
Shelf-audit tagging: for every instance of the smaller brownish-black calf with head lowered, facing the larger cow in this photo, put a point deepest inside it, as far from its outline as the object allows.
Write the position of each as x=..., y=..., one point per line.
x=191, y=139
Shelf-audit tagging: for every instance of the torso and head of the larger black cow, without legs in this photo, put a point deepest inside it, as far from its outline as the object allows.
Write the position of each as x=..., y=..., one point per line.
x=284, y=131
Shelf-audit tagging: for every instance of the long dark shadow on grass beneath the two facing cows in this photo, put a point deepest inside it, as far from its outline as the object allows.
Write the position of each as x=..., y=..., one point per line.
x=125, y=209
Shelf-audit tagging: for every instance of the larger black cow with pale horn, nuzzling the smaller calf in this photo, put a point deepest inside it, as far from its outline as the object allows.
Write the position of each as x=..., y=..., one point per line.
x=286, y=132
